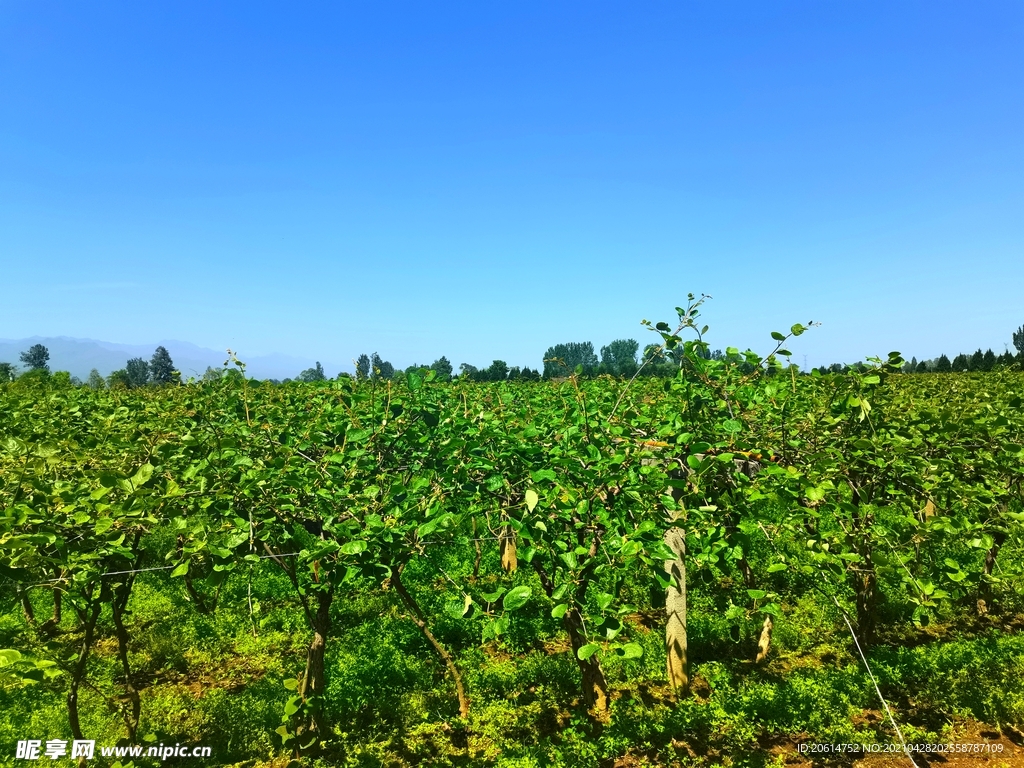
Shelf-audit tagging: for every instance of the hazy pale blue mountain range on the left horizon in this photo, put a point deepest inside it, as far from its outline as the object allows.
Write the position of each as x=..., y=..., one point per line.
x=79, y=357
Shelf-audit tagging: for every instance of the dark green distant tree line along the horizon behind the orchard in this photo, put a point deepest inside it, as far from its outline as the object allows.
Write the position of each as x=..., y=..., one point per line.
x=620, y=359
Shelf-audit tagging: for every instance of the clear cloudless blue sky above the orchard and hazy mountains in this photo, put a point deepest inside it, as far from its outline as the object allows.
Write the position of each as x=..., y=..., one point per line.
x=485, y=180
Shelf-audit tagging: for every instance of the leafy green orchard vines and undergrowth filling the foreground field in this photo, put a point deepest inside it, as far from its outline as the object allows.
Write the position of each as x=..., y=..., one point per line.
x=421, y=573
